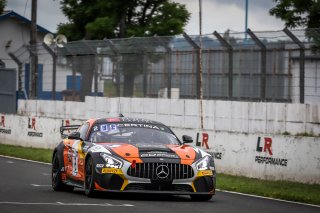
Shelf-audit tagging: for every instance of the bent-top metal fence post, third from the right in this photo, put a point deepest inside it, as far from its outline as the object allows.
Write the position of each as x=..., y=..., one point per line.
x=230, y=67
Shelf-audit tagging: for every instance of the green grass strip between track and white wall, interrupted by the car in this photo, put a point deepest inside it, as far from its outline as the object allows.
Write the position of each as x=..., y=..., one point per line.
x=292, y=191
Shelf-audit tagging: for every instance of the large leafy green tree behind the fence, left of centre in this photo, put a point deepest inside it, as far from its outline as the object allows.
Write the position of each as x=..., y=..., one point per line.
x=98, y=19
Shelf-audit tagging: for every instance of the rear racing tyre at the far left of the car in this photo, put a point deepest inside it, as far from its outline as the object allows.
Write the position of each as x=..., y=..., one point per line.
x=56, y=180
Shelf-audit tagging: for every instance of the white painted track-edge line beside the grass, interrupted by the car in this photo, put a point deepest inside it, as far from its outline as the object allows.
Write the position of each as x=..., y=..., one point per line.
x=219, y=190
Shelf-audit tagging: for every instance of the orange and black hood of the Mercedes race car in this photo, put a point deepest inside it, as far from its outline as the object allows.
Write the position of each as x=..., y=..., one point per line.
x=153, y=152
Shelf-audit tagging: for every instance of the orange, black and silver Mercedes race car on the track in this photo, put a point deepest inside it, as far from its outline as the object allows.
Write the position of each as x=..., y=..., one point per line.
x=122, y=154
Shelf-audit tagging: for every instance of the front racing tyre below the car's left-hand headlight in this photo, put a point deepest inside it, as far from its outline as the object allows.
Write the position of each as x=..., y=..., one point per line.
x=89, y=179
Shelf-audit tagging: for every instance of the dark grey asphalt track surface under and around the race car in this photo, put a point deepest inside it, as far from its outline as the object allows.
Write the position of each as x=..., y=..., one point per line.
x=25, y=187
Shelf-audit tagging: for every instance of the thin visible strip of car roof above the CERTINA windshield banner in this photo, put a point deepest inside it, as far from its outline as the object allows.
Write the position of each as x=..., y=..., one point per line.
x=125, y=120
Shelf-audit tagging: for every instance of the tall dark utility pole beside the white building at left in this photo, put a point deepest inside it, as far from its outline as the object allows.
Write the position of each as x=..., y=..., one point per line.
x=34, y=54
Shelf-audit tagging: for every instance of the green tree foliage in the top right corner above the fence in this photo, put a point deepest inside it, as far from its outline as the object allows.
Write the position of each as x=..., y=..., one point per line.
x=300, y=13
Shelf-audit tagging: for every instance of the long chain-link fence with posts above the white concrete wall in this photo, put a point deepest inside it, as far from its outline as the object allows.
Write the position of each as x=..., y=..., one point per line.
x=278, y=66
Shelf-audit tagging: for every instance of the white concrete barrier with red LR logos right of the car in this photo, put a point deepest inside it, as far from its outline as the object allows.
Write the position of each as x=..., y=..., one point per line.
x=271, y=157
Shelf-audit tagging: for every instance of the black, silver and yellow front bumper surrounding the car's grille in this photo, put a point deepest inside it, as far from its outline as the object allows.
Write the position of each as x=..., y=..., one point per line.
x=118, y=180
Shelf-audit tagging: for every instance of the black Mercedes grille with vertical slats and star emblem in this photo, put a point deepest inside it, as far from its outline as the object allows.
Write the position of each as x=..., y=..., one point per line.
x=161, y=171
